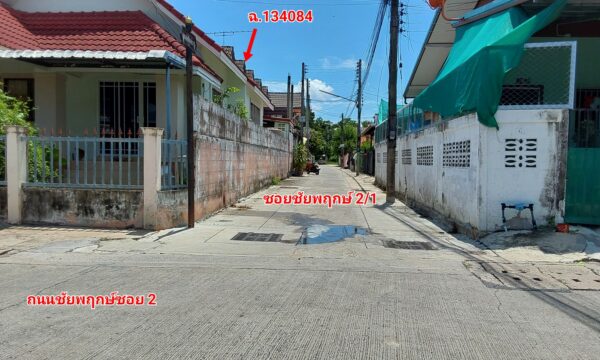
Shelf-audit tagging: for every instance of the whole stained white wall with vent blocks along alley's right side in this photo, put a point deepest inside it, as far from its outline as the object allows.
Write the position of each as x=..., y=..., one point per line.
x=478, y=175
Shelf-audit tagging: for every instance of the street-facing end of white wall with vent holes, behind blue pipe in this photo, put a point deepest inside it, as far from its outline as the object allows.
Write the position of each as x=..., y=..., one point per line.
x=542, y=185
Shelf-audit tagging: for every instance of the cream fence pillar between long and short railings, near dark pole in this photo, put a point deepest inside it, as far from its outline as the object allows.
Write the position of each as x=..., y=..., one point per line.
x=152, y=174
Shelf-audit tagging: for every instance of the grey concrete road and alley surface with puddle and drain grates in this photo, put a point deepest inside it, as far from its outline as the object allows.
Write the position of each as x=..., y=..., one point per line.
x=218, y=298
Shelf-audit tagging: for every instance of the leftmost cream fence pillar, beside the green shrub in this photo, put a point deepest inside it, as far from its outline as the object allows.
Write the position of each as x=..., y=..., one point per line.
x=16, y=171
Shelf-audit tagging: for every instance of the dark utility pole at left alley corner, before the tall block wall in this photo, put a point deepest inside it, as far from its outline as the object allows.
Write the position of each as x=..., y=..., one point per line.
x=190, y=44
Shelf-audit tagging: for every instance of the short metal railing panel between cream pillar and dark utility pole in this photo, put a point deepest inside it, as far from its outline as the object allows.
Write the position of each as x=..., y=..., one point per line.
x=173, y=164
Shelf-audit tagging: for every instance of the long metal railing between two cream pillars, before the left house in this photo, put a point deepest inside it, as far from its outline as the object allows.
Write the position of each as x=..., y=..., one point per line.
x=85, y=162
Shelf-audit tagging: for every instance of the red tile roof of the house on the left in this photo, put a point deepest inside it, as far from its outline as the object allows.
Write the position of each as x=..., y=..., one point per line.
x=96, y=31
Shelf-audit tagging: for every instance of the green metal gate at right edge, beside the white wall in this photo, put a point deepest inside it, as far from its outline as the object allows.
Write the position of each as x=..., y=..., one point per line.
x=583, y=168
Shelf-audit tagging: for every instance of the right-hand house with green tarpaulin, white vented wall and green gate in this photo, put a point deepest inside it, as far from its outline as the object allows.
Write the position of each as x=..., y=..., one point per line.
x=542, y=144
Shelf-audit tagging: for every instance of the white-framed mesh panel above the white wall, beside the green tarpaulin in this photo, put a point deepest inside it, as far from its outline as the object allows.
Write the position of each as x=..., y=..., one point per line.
x=545, y=78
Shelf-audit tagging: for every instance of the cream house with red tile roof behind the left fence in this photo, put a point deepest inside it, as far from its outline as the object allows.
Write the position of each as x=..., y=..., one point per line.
x=113, y=66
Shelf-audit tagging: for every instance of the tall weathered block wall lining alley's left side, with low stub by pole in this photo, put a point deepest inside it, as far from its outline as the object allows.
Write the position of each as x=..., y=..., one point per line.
x=234, y=158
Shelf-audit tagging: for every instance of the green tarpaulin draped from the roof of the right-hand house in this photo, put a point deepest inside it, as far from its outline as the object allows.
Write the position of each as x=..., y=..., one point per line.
x=483, y=52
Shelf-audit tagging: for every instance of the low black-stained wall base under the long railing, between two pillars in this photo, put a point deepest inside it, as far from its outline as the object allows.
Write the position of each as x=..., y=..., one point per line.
x=117, y=209
